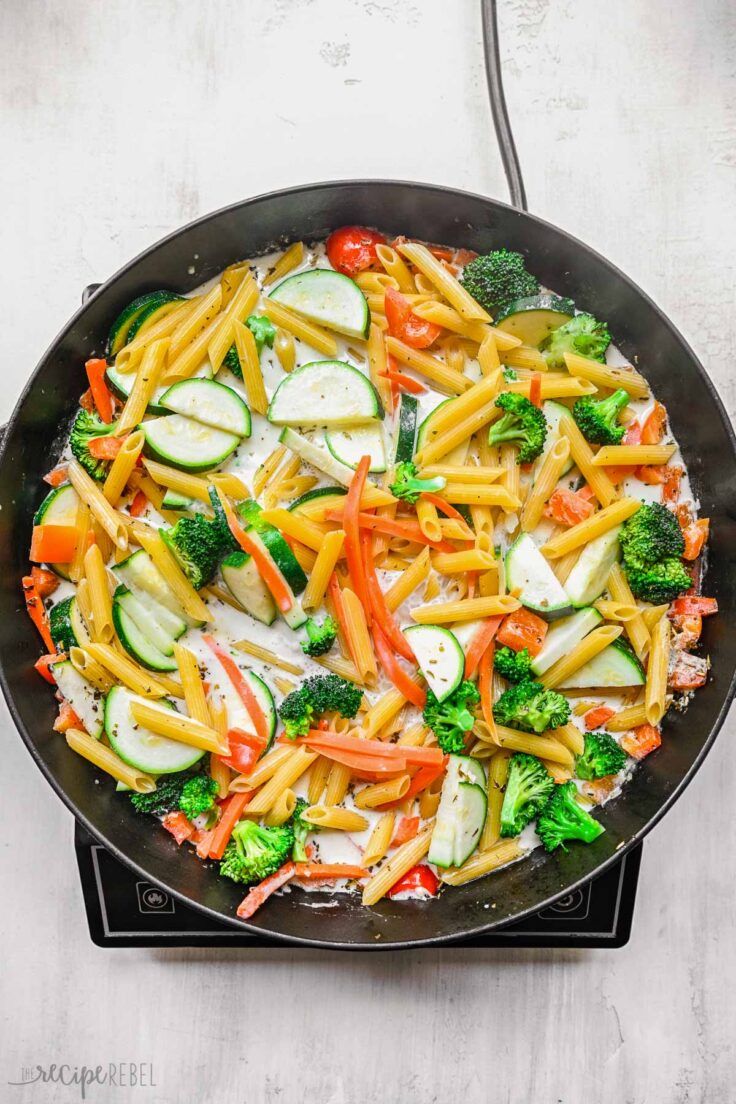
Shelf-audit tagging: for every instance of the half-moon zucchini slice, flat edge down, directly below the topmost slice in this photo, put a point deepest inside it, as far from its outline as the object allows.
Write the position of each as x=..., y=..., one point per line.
x=325, y=392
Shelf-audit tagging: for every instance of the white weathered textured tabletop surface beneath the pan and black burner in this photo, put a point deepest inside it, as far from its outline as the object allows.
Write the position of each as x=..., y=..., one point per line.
x=122, y=121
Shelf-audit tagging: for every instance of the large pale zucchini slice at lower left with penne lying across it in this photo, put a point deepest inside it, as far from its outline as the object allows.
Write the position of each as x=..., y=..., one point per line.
x=138, y=747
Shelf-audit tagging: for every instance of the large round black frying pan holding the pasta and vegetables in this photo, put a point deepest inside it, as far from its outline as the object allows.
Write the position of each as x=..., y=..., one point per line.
x=458, y=219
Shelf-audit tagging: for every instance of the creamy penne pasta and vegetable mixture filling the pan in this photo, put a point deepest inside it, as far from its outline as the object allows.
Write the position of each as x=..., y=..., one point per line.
x=372, y=565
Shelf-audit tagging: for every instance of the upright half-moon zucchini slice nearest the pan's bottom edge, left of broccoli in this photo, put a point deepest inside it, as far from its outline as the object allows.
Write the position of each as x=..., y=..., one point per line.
x=462, y=813
